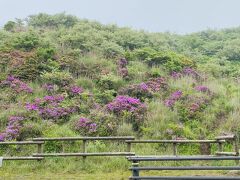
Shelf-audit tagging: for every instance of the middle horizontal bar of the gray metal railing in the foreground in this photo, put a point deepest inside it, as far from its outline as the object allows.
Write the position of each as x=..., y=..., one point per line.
x=187, y=168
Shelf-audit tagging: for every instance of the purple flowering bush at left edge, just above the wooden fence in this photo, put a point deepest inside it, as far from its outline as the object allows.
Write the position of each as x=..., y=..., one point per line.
x=12, y=130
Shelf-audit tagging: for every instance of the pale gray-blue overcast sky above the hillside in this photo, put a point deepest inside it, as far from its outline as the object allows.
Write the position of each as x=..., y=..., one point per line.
x=179, y=16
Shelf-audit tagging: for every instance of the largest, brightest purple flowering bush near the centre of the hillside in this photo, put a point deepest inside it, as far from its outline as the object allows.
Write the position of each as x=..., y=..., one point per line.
x=129, y=108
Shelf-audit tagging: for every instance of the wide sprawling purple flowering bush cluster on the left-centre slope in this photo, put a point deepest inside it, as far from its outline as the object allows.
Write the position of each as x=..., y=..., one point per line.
x=50, y=107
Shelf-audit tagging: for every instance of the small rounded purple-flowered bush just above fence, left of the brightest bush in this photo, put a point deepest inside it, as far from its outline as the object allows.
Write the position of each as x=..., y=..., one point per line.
x=85, y=126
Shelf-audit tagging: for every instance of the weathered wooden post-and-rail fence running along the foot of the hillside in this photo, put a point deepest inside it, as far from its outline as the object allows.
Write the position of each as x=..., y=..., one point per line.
x=128, y=140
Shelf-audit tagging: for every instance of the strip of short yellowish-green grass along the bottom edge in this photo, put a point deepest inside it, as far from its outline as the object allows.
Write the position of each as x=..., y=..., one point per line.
x=99, y=175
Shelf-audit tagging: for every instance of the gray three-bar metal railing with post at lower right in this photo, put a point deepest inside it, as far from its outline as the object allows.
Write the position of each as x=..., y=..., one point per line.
x=136, y=169
